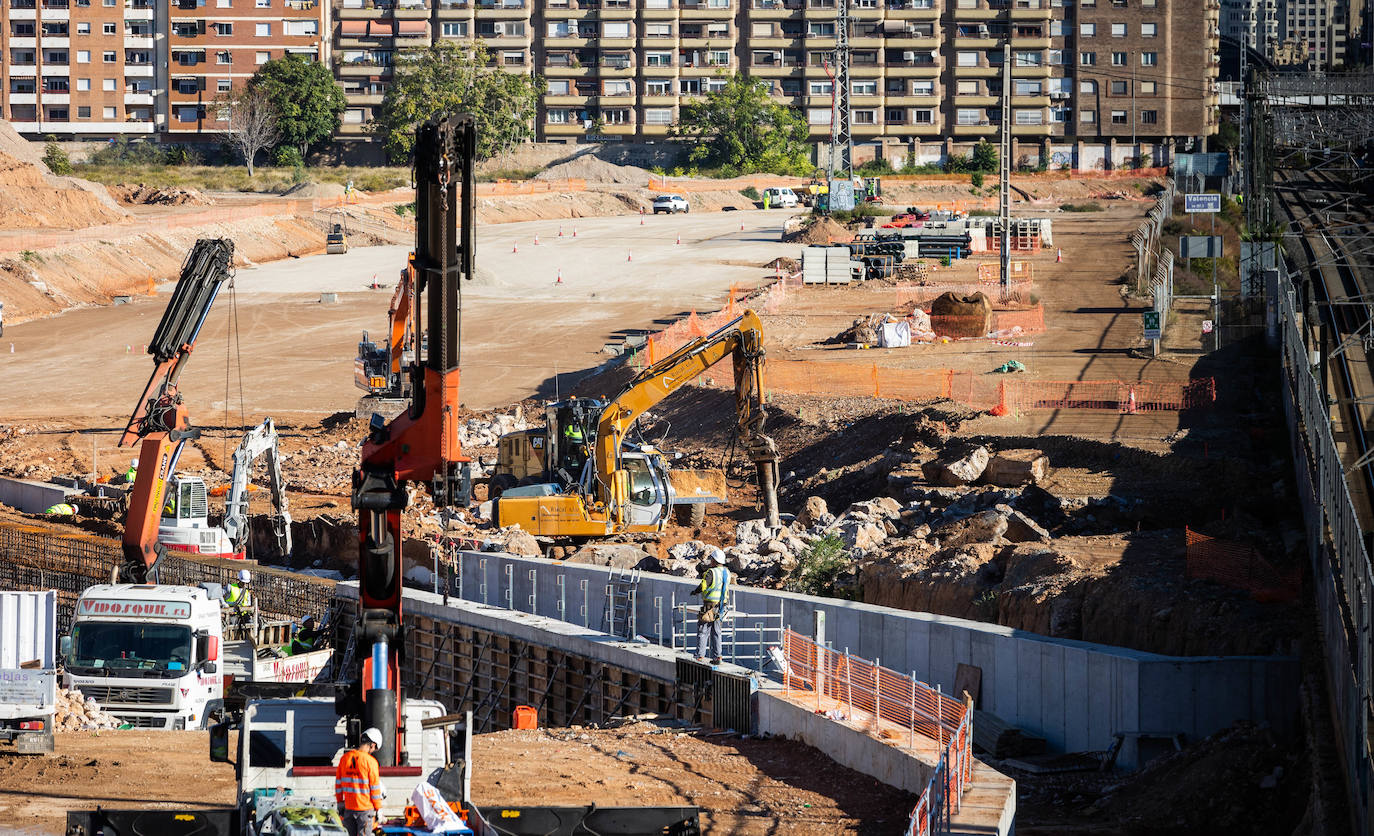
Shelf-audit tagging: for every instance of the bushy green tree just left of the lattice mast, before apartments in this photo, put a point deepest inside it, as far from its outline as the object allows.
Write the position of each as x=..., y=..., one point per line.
x=744, y=129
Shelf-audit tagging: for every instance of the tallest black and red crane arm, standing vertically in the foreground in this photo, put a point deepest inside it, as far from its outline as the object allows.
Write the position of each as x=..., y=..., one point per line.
x=420, y=446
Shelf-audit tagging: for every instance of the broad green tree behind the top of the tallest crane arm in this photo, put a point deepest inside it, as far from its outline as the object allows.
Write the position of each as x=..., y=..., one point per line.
x=449, y=79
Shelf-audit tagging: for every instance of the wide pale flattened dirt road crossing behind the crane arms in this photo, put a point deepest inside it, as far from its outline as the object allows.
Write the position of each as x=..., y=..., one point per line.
x=521, y=329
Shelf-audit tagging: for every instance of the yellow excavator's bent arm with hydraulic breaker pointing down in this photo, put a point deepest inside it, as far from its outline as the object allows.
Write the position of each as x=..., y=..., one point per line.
x=743, y=340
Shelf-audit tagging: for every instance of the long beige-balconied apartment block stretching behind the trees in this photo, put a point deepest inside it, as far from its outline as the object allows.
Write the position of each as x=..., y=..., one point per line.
x=921, y=71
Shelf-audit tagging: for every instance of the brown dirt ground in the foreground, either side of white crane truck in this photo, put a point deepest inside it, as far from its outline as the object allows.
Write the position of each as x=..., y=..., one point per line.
x=741, y=786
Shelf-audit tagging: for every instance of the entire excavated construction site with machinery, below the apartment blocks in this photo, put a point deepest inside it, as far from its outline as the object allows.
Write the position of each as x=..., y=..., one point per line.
x=1017, y=529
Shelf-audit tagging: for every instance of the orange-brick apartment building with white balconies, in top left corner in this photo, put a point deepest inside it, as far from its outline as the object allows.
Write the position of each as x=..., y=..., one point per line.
x=82, y=68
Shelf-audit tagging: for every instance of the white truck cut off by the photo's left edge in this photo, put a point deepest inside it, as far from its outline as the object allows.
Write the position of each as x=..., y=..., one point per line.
x=28, y=670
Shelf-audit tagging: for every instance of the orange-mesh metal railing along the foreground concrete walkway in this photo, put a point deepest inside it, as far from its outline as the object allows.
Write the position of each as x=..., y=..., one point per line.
x=873, y=698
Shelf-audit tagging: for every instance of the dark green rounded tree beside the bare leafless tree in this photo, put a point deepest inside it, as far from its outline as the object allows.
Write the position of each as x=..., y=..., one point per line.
x=310, y=104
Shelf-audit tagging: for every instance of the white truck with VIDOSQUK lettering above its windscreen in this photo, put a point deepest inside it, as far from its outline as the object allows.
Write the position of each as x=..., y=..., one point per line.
x=156, y=658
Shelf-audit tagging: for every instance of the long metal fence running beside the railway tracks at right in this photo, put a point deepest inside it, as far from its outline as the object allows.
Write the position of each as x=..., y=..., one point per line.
x=1342, y=575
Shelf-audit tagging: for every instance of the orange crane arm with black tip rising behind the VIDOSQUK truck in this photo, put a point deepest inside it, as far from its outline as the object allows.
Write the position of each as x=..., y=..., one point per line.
x=160, y=420
